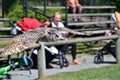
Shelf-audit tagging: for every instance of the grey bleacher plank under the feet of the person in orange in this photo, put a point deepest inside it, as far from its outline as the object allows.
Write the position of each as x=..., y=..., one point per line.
x=89, y=23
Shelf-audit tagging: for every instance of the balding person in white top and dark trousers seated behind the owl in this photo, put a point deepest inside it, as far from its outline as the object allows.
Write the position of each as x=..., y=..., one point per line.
x=57, y=23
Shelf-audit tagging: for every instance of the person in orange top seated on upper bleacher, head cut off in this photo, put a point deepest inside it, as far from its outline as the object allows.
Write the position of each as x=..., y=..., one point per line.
x=75, y=5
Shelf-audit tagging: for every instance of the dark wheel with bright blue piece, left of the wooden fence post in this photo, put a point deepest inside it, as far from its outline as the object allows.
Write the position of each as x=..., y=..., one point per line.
x=26, y=64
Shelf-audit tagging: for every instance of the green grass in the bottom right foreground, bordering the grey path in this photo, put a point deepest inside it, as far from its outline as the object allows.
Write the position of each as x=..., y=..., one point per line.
x=103, y=73
